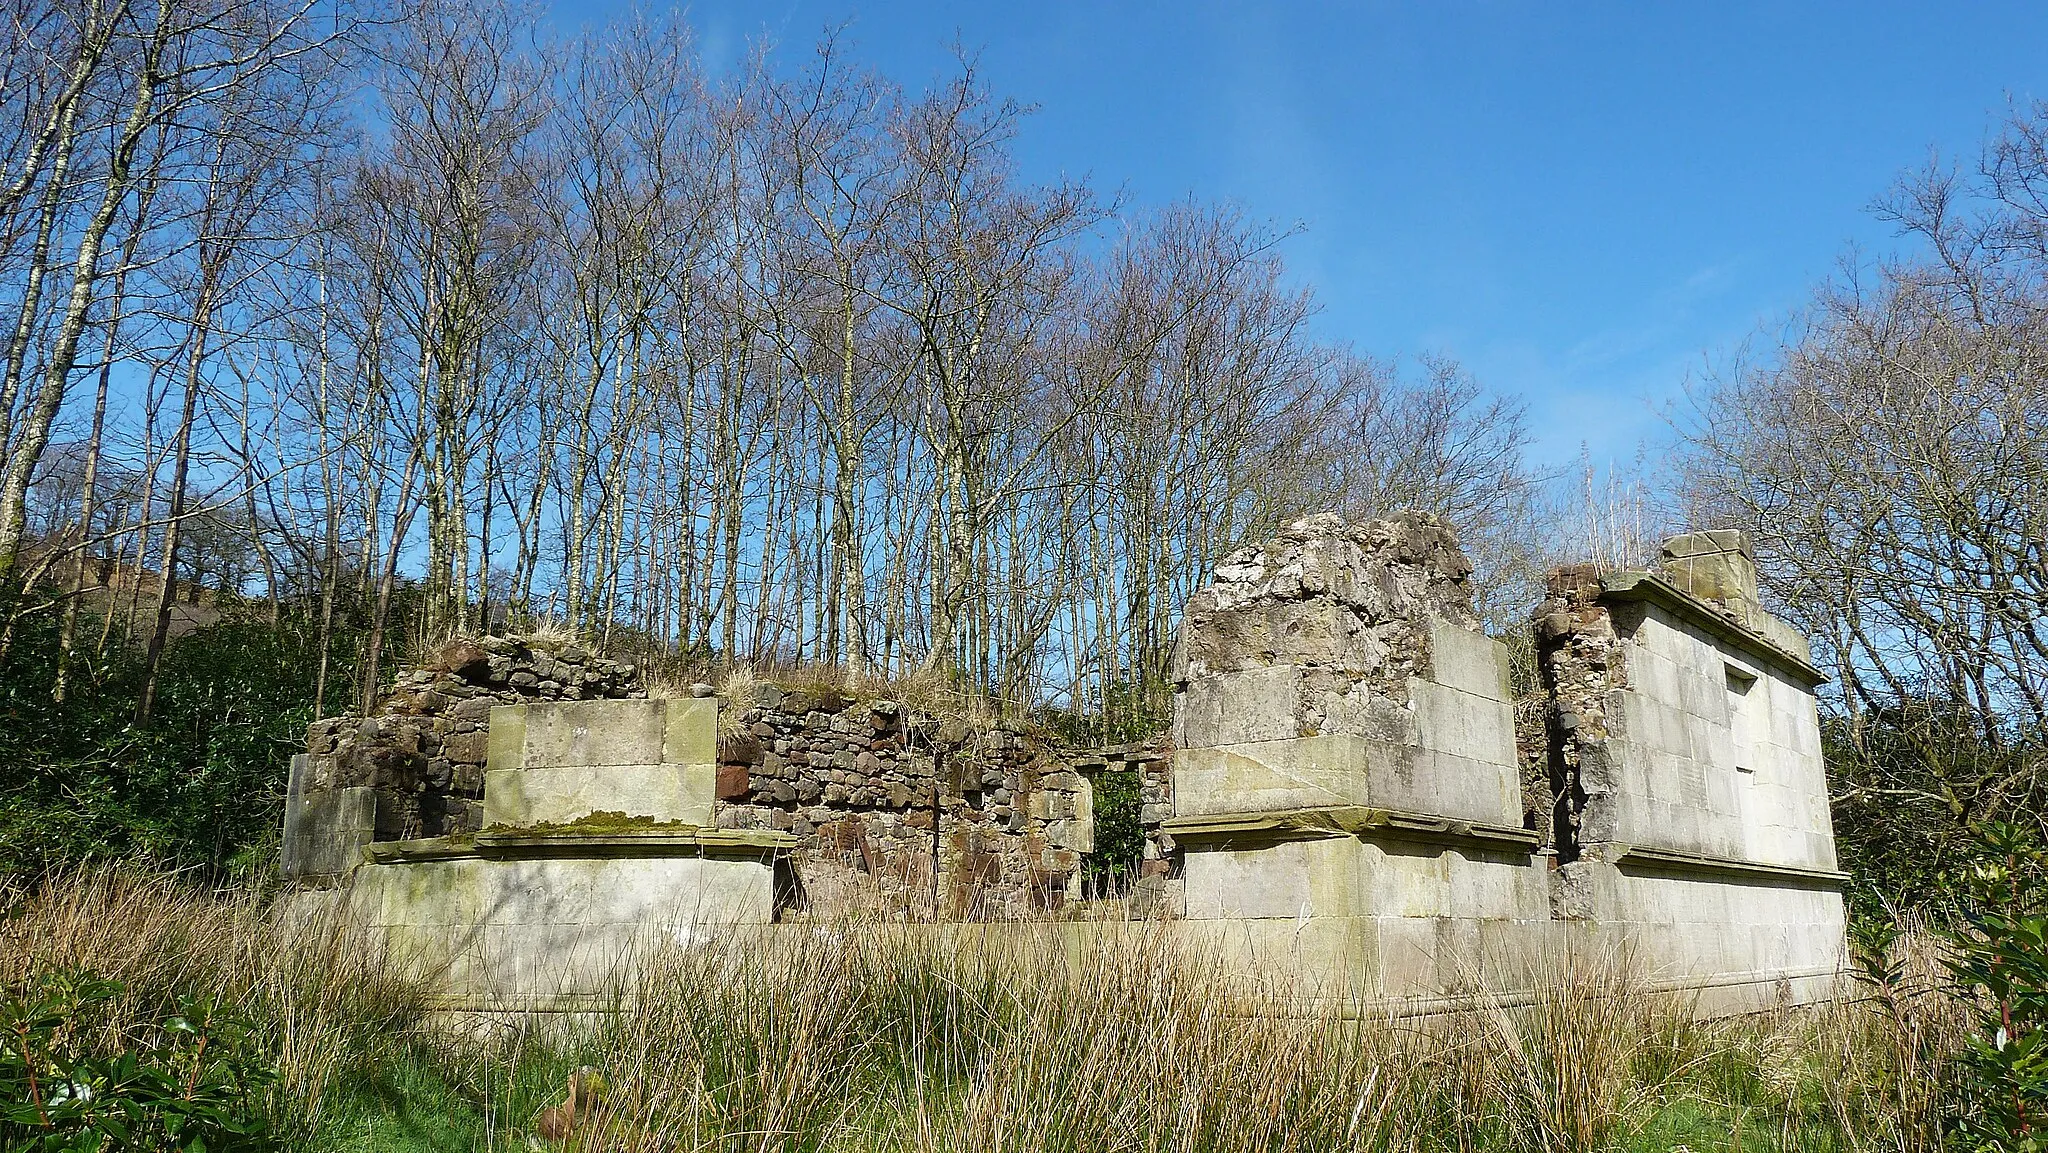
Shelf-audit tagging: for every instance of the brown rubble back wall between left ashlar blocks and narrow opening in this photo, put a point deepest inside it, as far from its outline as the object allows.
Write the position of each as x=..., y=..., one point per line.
x=912, y=814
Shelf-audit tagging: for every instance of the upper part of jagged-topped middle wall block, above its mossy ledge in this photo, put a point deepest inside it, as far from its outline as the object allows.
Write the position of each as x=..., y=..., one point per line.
x=1345, y=665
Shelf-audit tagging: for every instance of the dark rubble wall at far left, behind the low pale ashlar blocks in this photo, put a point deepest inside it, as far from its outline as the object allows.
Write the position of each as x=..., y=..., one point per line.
x=423, y=749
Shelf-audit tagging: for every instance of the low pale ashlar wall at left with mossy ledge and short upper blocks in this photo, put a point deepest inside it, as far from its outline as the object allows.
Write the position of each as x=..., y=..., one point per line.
x=595, y=857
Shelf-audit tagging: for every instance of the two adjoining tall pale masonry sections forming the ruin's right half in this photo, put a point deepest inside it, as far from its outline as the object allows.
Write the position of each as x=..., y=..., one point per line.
x=1359, y=796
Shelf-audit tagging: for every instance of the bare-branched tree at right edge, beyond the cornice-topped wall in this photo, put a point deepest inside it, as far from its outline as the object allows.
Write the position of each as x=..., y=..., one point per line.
x=1891, y=458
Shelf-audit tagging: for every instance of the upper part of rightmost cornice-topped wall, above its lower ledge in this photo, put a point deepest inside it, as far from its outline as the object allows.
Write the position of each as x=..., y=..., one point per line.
x=1682, y=714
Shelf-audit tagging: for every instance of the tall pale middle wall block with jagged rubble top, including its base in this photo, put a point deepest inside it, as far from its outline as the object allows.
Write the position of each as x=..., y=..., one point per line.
x=1347, y=781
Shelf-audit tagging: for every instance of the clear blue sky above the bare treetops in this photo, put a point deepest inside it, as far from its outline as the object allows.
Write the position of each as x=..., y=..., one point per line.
x=1578, y=202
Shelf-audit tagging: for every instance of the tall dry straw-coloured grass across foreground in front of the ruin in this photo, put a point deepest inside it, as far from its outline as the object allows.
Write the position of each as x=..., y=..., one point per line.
x=937, y=1039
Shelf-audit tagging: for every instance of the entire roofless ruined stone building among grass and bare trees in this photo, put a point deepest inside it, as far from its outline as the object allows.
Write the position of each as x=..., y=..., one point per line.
x=1351, y=796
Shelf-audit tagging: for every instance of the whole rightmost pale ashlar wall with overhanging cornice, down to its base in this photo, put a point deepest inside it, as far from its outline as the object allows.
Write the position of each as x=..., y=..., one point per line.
x=1687, y=753
